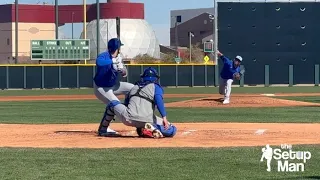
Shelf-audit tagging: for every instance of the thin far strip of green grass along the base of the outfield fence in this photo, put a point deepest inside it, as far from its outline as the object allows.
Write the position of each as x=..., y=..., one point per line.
x=196, y=90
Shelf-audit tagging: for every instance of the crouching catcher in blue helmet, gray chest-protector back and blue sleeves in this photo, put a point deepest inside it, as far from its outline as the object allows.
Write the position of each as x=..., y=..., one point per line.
x=139, y=106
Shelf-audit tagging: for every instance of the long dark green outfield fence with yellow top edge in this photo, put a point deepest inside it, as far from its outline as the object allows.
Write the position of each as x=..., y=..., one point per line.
x=46, y=76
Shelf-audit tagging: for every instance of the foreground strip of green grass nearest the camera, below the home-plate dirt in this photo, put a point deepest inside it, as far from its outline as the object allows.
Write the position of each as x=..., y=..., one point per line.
x=157, y=163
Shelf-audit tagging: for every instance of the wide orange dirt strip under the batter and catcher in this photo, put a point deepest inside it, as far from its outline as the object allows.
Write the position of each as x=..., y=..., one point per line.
x=189, y=135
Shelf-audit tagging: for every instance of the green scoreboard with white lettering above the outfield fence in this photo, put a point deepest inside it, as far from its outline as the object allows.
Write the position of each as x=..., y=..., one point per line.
x=73, y=49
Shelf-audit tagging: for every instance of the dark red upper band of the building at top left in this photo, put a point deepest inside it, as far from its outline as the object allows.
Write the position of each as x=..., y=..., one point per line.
x=46, y=13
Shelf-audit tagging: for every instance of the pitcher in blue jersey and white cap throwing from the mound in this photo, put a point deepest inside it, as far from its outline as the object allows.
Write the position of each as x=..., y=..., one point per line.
x=229, y=72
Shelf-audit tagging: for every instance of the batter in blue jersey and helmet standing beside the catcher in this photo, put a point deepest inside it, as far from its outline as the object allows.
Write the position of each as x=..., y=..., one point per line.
x=107, y=83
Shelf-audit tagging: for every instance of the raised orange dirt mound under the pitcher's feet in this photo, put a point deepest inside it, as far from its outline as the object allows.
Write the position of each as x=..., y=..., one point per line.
x=240, y=101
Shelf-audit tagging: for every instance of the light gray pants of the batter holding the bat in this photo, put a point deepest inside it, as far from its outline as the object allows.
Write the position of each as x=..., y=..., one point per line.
x=109, y=94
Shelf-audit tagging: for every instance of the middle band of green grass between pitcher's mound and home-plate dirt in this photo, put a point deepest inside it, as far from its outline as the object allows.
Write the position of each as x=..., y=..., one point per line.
x=90, y=111
